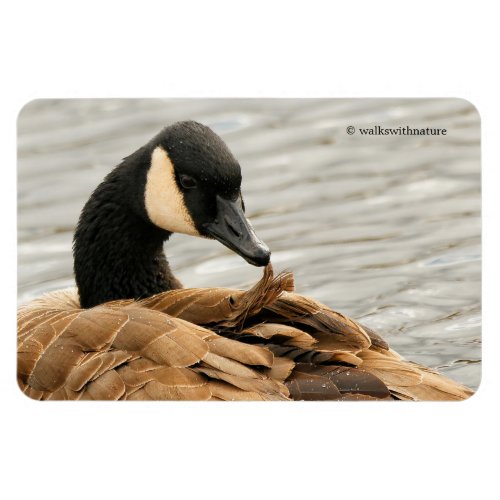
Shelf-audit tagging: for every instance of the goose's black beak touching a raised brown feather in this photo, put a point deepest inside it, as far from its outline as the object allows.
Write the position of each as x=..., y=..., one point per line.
x=233, y=230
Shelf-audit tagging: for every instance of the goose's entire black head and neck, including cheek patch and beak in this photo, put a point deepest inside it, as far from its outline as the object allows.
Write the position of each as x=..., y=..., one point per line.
x=185, y=180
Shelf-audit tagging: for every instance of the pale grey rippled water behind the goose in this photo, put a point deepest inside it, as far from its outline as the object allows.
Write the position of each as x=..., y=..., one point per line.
x=383, y=228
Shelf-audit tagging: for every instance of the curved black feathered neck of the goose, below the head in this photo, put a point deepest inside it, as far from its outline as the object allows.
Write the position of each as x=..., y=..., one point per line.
x=118, y=252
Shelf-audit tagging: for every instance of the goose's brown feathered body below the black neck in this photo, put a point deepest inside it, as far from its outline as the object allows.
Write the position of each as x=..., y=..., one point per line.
x=212, y=344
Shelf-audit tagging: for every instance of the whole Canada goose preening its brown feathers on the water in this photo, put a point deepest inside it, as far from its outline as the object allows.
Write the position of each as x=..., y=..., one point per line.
x=132, y=332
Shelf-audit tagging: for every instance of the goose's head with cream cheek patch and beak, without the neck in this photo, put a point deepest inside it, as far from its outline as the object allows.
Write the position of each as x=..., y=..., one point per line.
x=193, y=186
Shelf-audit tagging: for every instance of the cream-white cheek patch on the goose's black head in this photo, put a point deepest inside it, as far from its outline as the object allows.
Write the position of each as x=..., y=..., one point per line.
x=163, y=200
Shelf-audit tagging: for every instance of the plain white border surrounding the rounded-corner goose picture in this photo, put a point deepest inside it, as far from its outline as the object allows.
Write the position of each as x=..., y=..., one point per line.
x=153, y=49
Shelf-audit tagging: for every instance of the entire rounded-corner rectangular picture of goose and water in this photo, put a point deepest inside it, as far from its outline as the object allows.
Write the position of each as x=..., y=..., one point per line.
x=249, y=249
